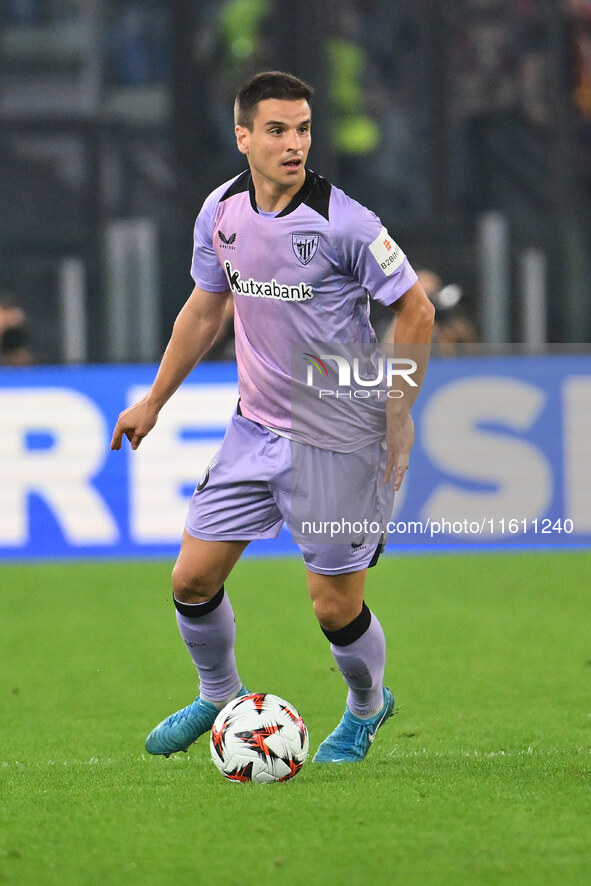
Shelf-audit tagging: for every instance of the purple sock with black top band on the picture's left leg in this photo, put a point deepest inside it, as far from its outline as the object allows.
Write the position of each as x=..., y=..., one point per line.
x=209, y=632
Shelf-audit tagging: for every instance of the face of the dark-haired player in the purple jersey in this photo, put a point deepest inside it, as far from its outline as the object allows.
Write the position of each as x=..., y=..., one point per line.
x=277, y=147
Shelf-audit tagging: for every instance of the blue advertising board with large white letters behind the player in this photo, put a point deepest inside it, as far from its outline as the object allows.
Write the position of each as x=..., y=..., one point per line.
x=501, y=458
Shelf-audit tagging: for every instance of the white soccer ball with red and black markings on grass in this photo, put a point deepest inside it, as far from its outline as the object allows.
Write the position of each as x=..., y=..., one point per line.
x=259, y=737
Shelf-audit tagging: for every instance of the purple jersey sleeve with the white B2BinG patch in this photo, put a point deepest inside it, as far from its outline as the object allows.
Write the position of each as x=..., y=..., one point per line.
x=369, y=253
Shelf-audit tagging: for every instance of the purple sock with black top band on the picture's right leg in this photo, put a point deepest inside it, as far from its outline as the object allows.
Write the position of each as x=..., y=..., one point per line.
x=361, y=661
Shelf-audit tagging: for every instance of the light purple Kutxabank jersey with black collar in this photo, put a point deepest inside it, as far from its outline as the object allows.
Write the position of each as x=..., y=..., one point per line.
x=301, y=276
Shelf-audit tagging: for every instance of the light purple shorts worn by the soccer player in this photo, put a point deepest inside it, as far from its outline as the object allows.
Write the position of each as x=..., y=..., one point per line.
x=335, y=504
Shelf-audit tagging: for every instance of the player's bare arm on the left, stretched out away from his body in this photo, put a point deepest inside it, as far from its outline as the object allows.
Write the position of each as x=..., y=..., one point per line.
x=193, y=333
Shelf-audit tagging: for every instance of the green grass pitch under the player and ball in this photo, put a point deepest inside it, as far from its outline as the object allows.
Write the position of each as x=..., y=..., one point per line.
x=482, y=777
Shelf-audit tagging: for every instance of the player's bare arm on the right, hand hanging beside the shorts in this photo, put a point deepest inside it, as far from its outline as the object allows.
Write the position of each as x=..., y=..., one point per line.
x=411, y=333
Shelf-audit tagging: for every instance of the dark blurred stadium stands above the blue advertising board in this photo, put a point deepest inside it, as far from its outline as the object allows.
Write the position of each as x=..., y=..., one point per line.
x=116, y=121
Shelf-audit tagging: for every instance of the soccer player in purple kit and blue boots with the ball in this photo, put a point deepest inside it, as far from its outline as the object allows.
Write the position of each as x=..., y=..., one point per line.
x=299, y=258
